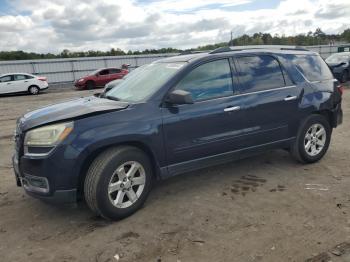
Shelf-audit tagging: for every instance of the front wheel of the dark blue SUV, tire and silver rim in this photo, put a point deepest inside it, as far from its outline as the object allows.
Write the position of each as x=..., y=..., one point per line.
x=118, y=182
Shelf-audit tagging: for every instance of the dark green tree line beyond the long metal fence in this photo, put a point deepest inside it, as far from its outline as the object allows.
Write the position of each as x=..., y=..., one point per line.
x=311, y=38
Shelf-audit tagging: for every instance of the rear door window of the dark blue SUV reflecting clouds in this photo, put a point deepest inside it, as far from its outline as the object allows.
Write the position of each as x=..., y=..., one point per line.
x=258, y=73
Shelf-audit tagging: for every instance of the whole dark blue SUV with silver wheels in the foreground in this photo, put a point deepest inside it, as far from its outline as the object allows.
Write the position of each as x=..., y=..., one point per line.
x=175, y=115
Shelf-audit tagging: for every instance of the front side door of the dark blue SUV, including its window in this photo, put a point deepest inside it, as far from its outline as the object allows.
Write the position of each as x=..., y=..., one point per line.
x=211, y=126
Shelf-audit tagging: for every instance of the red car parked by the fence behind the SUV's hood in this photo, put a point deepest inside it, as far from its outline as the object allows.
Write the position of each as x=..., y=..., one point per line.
x=100, y=77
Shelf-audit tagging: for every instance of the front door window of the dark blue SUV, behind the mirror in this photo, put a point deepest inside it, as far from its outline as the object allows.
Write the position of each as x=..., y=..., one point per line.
x=208, y=81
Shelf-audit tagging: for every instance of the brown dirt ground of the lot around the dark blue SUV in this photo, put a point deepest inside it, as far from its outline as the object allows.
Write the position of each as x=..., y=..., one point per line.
x=265, y=208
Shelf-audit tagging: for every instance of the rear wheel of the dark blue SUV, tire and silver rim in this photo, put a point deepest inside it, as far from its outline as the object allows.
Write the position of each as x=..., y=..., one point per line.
x=312, y=140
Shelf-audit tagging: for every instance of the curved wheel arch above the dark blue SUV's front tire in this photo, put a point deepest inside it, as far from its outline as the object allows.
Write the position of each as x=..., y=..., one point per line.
x=94, y=154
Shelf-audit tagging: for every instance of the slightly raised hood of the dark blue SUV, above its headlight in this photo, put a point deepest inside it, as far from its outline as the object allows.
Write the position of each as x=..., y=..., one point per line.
x=69, y=110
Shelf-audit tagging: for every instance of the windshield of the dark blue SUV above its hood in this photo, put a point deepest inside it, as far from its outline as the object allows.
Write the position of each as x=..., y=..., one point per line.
x=141, y=85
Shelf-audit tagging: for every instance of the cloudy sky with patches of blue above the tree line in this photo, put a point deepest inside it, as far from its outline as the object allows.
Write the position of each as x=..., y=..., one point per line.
x=80, y=25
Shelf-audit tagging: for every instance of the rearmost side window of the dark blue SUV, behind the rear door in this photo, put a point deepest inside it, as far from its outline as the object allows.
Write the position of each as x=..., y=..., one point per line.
x=312, y=67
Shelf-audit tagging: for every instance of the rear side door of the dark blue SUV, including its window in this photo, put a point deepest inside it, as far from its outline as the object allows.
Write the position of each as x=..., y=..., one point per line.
x=270, y=99
